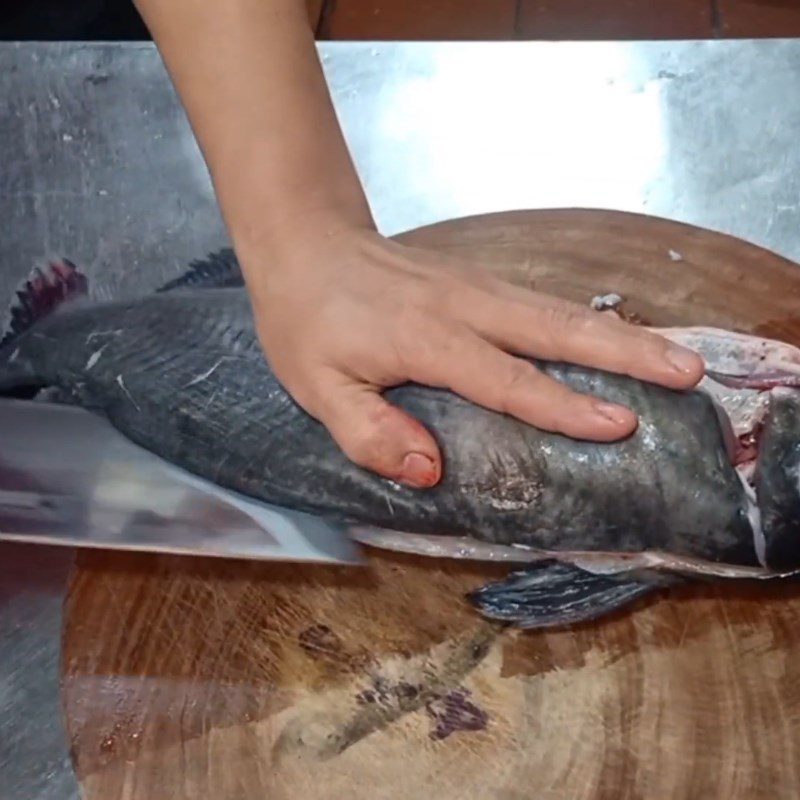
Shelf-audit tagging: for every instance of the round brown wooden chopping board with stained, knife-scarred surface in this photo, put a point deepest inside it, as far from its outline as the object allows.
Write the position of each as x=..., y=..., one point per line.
x=187, y=678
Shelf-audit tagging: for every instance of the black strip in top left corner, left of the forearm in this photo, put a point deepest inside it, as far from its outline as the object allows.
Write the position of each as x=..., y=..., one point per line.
x=71, y=20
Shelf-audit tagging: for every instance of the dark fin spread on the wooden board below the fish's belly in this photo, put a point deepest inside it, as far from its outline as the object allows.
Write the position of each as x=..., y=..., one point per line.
x=554, y=594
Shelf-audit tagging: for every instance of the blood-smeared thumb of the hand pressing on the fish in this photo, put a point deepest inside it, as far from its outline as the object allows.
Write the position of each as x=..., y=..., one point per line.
x=379, y=436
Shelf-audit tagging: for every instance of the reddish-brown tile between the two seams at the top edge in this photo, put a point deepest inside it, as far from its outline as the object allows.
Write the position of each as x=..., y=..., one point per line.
x=615, y=19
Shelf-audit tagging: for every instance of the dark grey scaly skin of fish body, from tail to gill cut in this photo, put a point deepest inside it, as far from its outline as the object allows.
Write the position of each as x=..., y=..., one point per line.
x=181, y=373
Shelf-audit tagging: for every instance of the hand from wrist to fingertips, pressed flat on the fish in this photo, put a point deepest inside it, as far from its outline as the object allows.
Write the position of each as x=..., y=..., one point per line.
x=346, y=315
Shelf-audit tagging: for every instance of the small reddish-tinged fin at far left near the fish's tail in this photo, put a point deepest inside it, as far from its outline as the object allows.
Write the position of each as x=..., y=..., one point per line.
x=43, y=293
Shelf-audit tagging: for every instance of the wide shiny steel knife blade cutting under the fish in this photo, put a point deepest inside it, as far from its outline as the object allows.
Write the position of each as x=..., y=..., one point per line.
x=68, y=477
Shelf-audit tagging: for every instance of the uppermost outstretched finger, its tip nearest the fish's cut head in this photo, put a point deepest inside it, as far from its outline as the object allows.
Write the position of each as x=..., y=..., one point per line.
x=555, y=330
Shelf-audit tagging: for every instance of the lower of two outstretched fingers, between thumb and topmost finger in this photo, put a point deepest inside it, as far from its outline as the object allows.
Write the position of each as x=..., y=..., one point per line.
x=483, y=374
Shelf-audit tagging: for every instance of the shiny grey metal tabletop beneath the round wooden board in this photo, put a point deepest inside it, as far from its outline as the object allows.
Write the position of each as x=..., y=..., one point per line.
x=99, y=165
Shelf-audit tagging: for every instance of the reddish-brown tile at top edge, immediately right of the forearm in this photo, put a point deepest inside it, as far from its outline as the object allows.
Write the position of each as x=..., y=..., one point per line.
x=424, y=20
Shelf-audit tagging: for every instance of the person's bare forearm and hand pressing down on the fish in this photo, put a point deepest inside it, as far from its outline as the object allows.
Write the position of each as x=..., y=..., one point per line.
x=342, y=312
